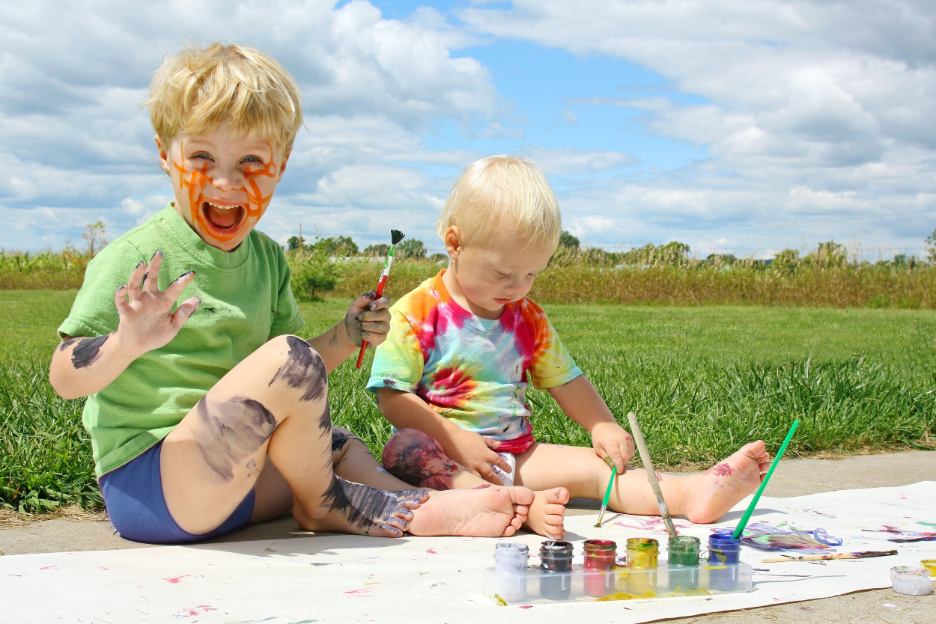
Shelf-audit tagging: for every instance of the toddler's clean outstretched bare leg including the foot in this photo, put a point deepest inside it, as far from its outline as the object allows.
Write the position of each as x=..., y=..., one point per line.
x=701, y=497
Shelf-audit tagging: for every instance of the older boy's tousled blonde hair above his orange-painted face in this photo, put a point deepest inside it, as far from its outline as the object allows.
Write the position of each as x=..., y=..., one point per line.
x=199, y=90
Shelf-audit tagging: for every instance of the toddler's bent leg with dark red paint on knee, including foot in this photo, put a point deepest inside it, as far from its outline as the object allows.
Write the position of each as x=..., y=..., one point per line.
x=416, y=458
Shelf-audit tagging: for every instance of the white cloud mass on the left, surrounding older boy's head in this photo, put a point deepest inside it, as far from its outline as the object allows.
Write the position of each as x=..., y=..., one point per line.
x=76, y=138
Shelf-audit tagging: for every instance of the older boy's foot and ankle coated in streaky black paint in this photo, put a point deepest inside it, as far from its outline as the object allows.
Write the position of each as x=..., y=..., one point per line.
x=349, y=507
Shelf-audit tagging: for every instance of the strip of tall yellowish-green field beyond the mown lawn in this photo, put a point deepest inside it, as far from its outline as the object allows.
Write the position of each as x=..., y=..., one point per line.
x=578, y=279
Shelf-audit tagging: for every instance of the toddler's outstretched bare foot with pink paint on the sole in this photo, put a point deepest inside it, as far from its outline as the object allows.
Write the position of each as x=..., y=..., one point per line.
x=719, y=488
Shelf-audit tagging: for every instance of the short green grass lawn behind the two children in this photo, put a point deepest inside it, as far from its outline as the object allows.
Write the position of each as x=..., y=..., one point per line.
x=703, y=379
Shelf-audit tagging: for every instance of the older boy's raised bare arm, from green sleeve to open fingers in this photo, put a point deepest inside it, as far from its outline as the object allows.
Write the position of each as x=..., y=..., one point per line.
x=83, y=366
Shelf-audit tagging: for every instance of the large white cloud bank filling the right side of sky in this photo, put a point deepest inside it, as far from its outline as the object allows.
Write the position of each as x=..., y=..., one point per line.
x=816, y=117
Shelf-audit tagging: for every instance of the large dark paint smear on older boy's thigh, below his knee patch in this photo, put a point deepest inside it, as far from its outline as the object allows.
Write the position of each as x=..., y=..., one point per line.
x=232, y=431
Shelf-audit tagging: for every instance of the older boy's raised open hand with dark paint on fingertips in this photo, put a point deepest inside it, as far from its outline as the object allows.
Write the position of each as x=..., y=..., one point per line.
x=147, y=321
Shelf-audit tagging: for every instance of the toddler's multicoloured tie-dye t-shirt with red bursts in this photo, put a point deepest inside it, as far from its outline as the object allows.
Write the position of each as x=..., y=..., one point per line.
x=469, y=369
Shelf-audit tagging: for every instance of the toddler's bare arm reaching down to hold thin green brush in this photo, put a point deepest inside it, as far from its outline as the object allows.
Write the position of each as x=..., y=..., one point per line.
x=582, y=403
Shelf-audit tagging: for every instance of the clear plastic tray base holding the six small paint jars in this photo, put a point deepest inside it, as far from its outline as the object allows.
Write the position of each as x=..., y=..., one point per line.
x=533, y=585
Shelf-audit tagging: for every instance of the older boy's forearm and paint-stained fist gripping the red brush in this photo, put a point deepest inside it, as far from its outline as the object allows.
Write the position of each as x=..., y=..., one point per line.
x=366, y=319
